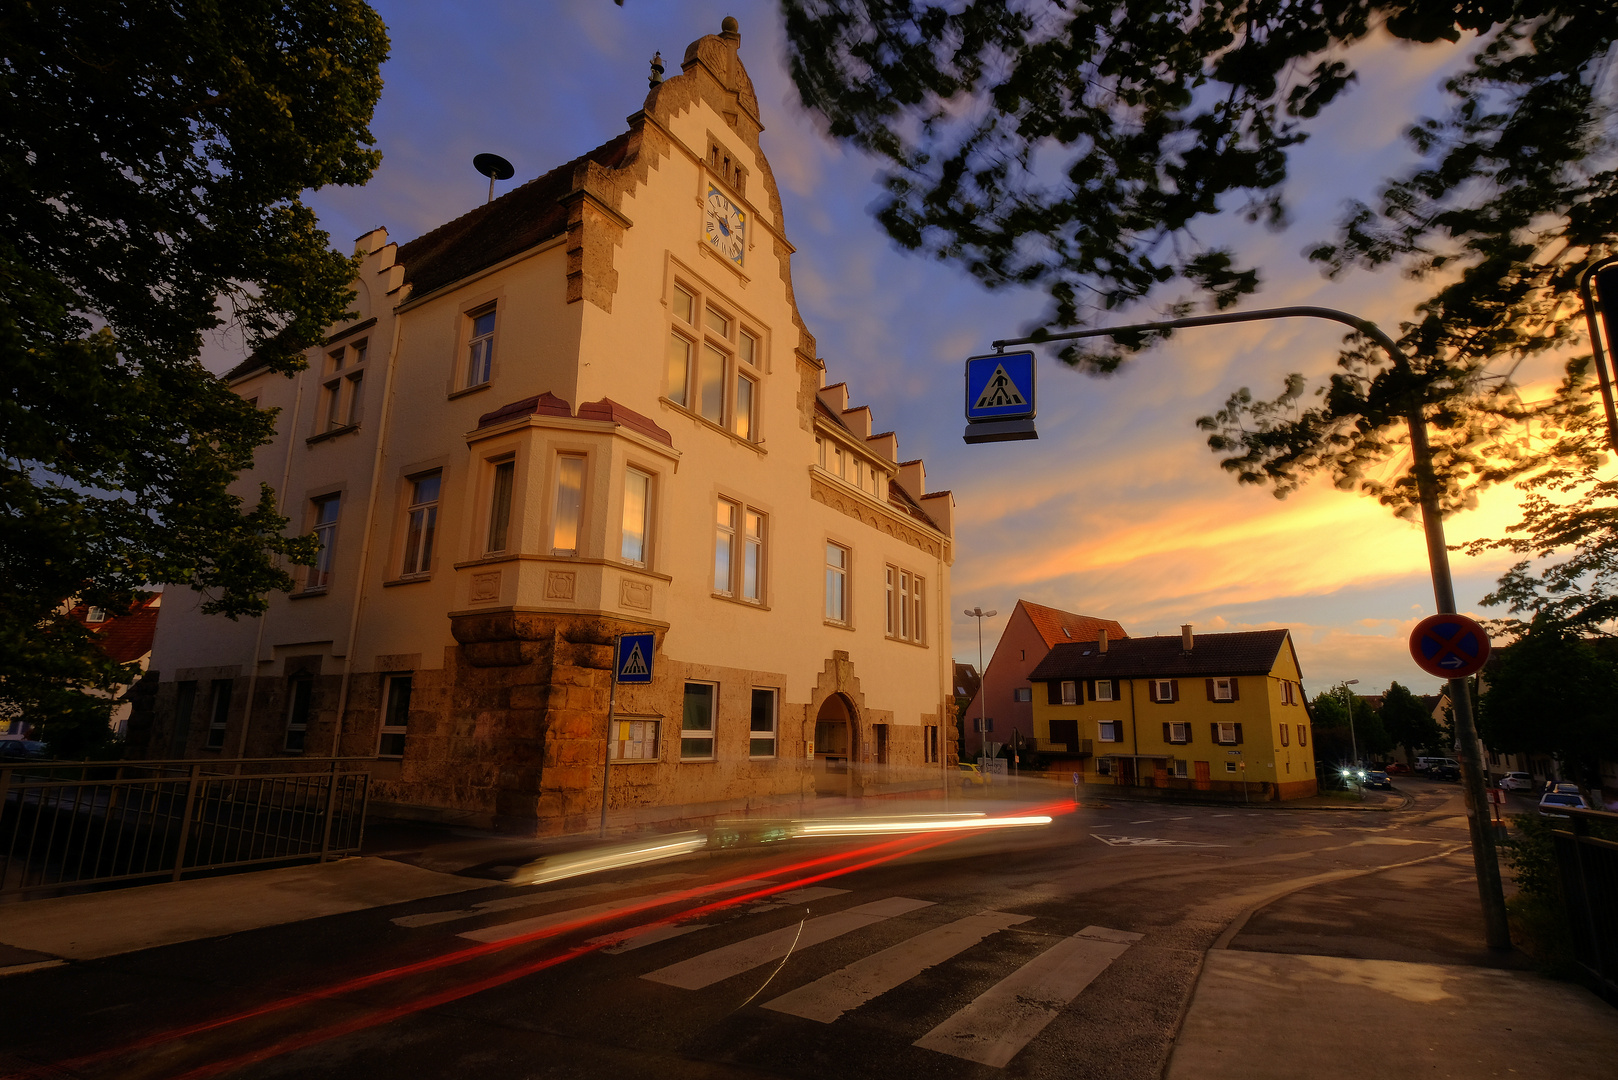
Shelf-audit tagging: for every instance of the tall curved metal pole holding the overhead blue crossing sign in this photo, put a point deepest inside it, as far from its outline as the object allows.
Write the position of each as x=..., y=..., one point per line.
x=1485, y=857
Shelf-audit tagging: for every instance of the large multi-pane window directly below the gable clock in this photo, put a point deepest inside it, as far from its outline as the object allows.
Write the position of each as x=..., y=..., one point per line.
x=714, y=362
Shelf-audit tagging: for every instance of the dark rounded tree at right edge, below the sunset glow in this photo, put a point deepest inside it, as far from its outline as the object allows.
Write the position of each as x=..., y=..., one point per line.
x=1554, y=694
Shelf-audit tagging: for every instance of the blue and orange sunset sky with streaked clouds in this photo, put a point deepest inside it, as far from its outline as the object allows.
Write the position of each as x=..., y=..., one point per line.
x=1119, y=509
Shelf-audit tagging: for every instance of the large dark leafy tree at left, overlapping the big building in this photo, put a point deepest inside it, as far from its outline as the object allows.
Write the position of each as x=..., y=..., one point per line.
x=151, y=164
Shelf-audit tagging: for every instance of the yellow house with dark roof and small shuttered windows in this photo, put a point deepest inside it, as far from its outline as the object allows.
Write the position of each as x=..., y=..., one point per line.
x=1211, y=713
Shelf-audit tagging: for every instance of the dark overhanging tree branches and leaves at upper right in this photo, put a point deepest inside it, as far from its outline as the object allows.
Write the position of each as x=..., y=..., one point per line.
x=1078, y=148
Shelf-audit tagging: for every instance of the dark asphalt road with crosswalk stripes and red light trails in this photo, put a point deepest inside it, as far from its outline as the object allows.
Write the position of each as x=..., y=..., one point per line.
x=1065, y=951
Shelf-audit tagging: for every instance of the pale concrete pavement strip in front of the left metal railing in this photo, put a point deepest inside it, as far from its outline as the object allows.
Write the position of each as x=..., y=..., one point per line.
x=124, y=921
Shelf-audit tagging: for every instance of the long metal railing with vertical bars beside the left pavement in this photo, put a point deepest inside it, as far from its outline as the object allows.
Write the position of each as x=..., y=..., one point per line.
x=67, y=825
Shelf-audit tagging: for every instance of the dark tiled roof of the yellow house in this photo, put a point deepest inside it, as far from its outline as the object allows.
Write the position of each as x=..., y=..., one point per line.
x=1247, y=653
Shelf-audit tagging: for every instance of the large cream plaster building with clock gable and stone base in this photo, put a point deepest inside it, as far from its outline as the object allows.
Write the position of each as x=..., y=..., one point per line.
x=569, y=415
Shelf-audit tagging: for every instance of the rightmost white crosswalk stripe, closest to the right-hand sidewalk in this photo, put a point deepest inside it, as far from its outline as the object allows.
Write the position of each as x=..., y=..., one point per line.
x=1006, y=1018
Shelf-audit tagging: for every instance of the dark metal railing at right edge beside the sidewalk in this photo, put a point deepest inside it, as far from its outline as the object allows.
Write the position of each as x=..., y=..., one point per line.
x=1590, y=888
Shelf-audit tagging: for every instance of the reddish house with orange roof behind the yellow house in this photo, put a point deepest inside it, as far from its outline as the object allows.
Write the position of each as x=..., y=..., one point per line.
x=1006, y=697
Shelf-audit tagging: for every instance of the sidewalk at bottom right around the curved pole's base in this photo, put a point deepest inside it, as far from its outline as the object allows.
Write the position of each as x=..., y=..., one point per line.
x=1384, y=976
